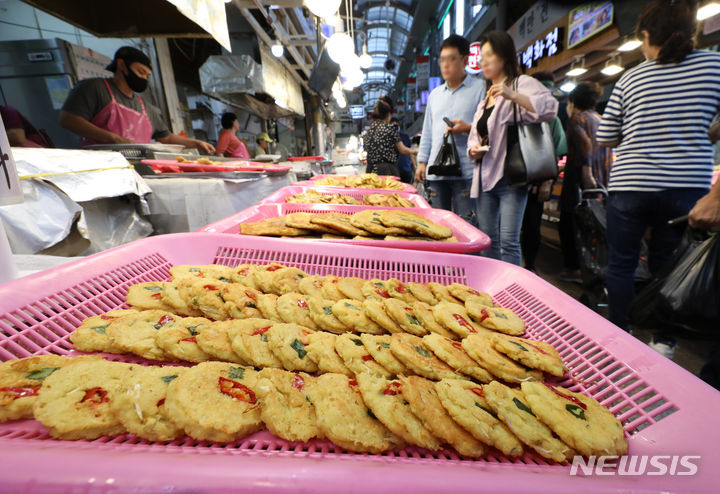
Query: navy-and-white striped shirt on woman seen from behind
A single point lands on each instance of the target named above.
(661, 115)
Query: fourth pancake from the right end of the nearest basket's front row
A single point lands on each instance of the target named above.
(424, 403)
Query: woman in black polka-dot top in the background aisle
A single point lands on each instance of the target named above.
(382, 141)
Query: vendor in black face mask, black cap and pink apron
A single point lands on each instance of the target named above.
(108, 110)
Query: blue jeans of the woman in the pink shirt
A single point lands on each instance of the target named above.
(500, 213)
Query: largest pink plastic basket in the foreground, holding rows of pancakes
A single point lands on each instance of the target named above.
(665, 410)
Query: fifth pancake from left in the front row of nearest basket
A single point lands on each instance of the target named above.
(287, 410)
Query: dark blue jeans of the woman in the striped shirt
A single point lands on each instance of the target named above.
(629, 215)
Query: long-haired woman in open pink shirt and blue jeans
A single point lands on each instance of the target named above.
(500, 207)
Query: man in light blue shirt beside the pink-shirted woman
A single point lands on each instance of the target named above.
(456, 99)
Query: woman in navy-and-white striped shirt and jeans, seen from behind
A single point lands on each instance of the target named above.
(658, 118)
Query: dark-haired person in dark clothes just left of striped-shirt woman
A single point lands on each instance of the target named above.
(587, 167)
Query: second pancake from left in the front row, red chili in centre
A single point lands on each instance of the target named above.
(74, 401)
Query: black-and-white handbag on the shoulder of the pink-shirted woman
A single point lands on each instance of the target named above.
(530, 153)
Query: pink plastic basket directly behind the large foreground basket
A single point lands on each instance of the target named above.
(470, 239)
